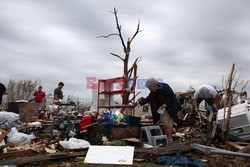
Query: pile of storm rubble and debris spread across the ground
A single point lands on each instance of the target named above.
(69, 135)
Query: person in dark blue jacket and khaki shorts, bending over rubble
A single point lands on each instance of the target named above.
(162, 97)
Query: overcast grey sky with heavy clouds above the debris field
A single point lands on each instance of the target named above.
(185, 42)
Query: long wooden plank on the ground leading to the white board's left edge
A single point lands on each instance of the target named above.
(40, 158)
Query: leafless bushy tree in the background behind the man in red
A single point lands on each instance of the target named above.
(21, 89)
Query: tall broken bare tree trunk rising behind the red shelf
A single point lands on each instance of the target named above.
(127, 72)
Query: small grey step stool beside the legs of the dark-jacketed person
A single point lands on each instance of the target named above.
(154, 135)
